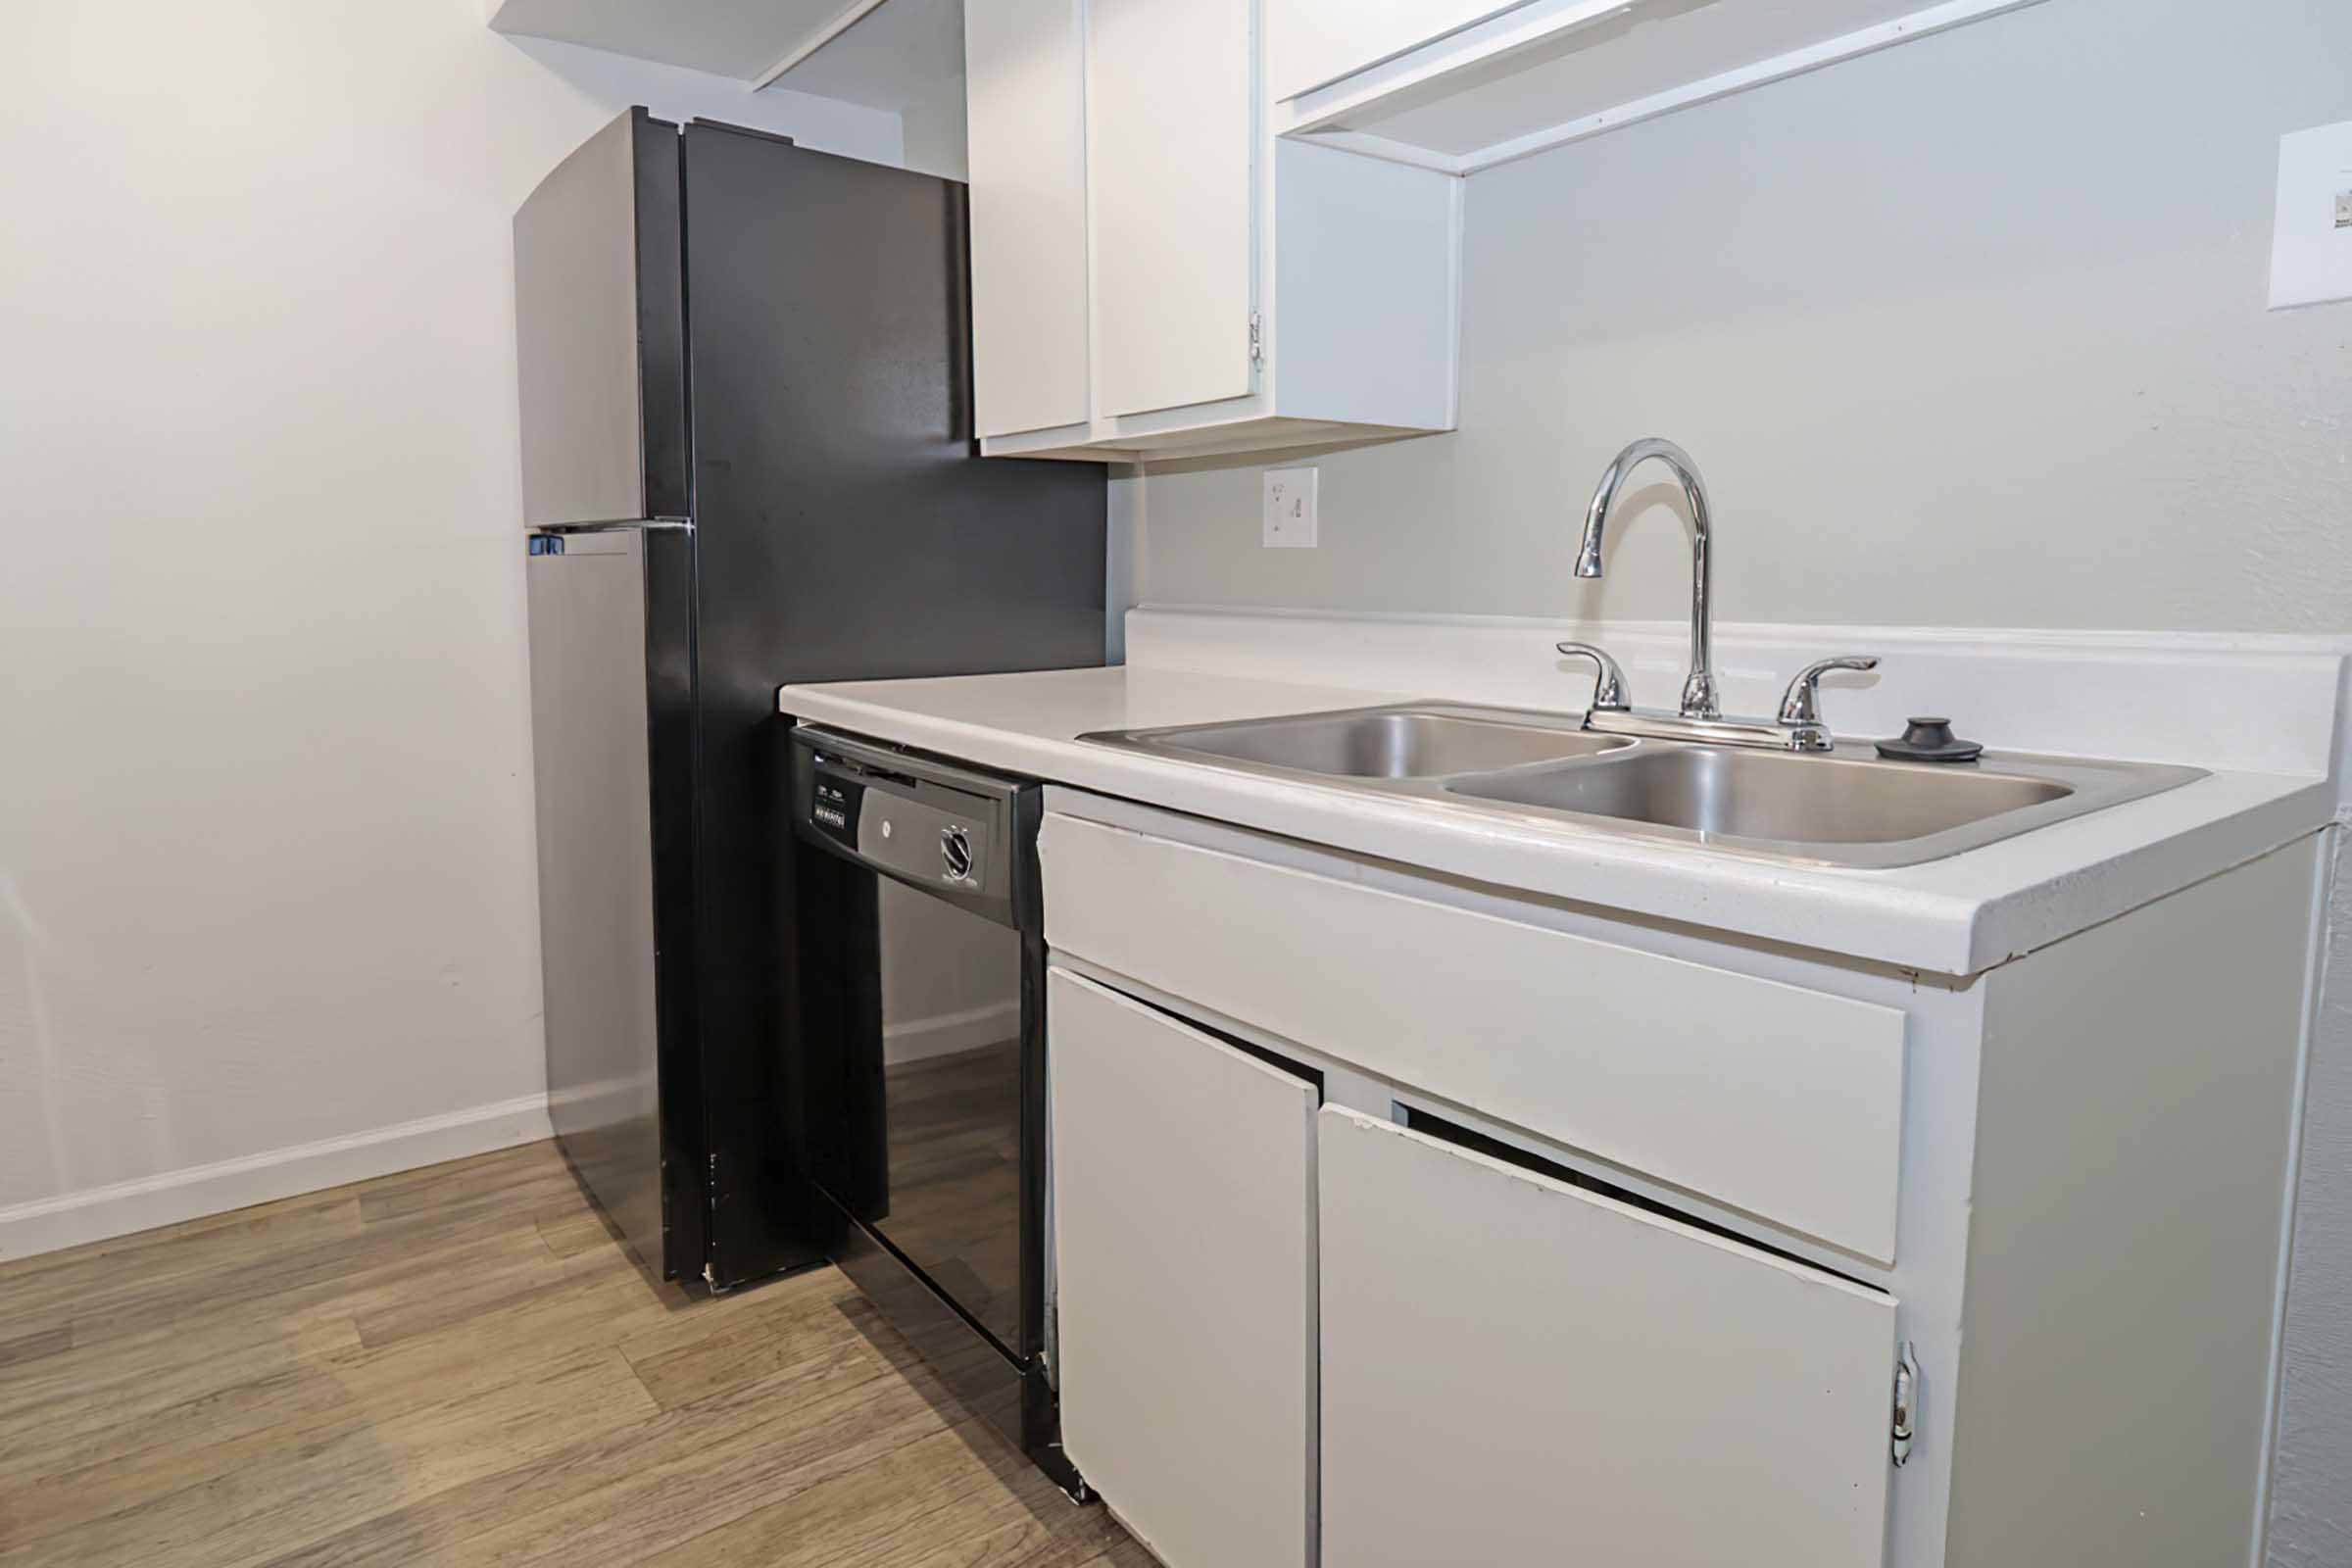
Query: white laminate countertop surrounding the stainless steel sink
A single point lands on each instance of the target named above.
(1956, 916)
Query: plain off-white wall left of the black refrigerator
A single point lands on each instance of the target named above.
(265, 808)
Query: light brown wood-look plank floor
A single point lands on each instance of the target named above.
(462, 1367)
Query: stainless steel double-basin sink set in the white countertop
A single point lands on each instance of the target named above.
(1845, 808)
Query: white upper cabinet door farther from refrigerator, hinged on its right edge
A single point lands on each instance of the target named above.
(1170, 138)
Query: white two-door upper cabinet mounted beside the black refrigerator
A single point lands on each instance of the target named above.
(1140, 234)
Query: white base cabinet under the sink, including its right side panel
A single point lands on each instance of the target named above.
(1551, 1322)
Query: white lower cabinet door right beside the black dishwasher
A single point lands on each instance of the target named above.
(1184, 1221)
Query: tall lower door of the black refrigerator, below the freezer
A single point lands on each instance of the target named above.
(594, 777)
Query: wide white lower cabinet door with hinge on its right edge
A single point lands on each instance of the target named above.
(1521, 1372)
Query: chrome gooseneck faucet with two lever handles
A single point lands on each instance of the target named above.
(1798, 725)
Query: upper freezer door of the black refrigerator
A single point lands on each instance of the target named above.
(601, 333)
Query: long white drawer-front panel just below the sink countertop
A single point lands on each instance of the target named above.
(1772, 1099)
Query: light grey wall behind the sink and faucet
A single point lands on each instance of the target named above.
(1970, 333)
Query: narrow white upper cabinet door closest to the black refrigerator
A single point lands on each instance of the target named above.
(1027, 69)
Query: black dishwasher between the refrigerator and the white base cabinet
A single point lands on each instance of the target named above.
(921, 1054)
